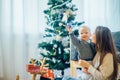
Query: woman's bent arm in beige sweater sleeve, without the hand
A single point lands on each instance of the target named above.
(105, 70)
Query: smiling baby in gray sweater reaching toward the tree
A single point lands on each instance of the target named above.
(85, 47)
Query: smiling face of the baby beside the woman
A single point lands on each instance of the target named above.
(84, 34)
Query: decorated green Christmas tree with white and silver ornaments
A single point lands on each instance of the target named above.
(57, 47)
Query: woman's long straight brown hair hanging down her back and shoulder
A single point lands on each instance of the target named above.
(105, 44)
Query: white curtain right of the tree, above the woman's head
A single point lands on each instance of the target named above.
(99, 12)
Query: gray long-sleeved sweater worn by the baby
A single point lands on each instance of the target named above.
(82, 48)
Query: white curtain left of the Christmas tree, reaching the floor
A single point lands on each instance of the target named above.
(21, 28)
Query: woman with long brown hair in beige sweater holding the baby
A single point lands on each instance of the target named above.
(105, 65)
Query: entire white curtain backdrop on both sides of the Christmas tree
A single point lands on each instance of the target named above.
(22, 24)
